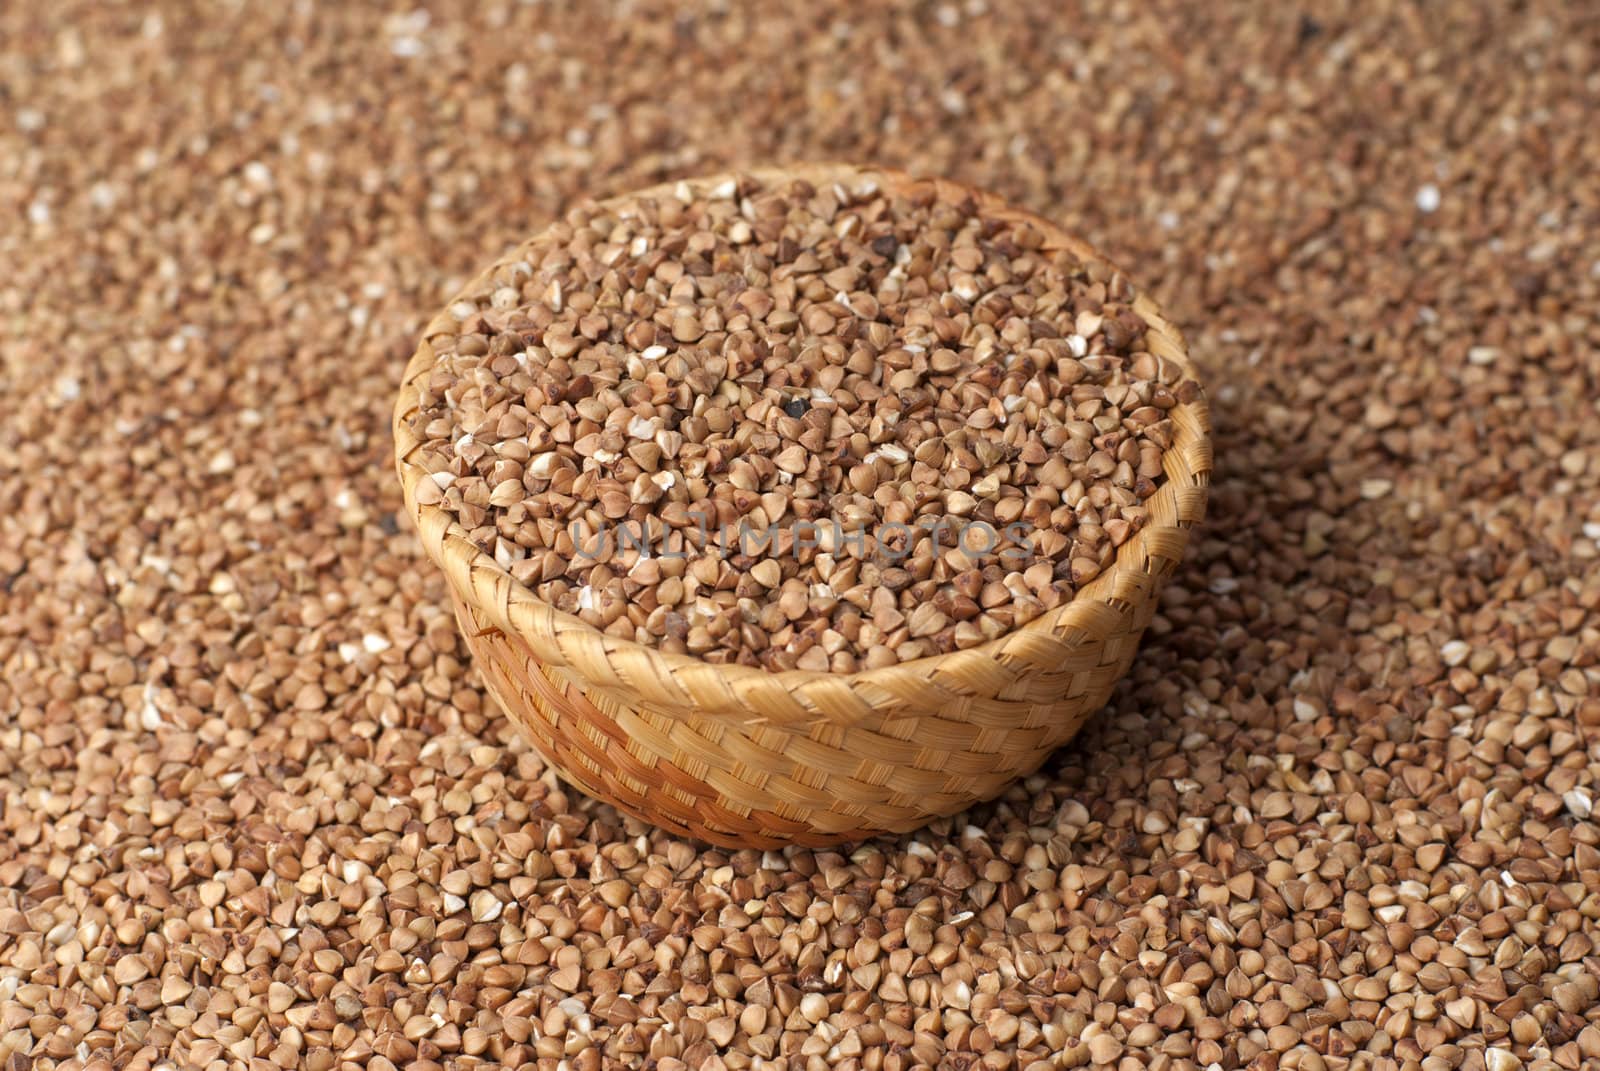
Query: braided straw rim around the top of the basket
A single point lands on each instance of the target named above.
(566, 641)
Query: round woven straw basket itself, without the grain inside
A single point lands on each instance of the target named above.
(746, 758)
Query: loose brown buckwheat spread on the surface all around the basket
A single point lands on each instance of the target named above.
(257, 814)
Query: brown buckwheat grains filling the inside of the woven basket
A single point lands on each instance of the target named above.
(820, 427)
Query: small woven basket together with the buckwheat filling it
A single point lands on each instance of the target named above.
(783, 715)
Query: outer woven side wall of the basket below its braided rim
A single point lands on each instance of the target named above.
(748, 782)
